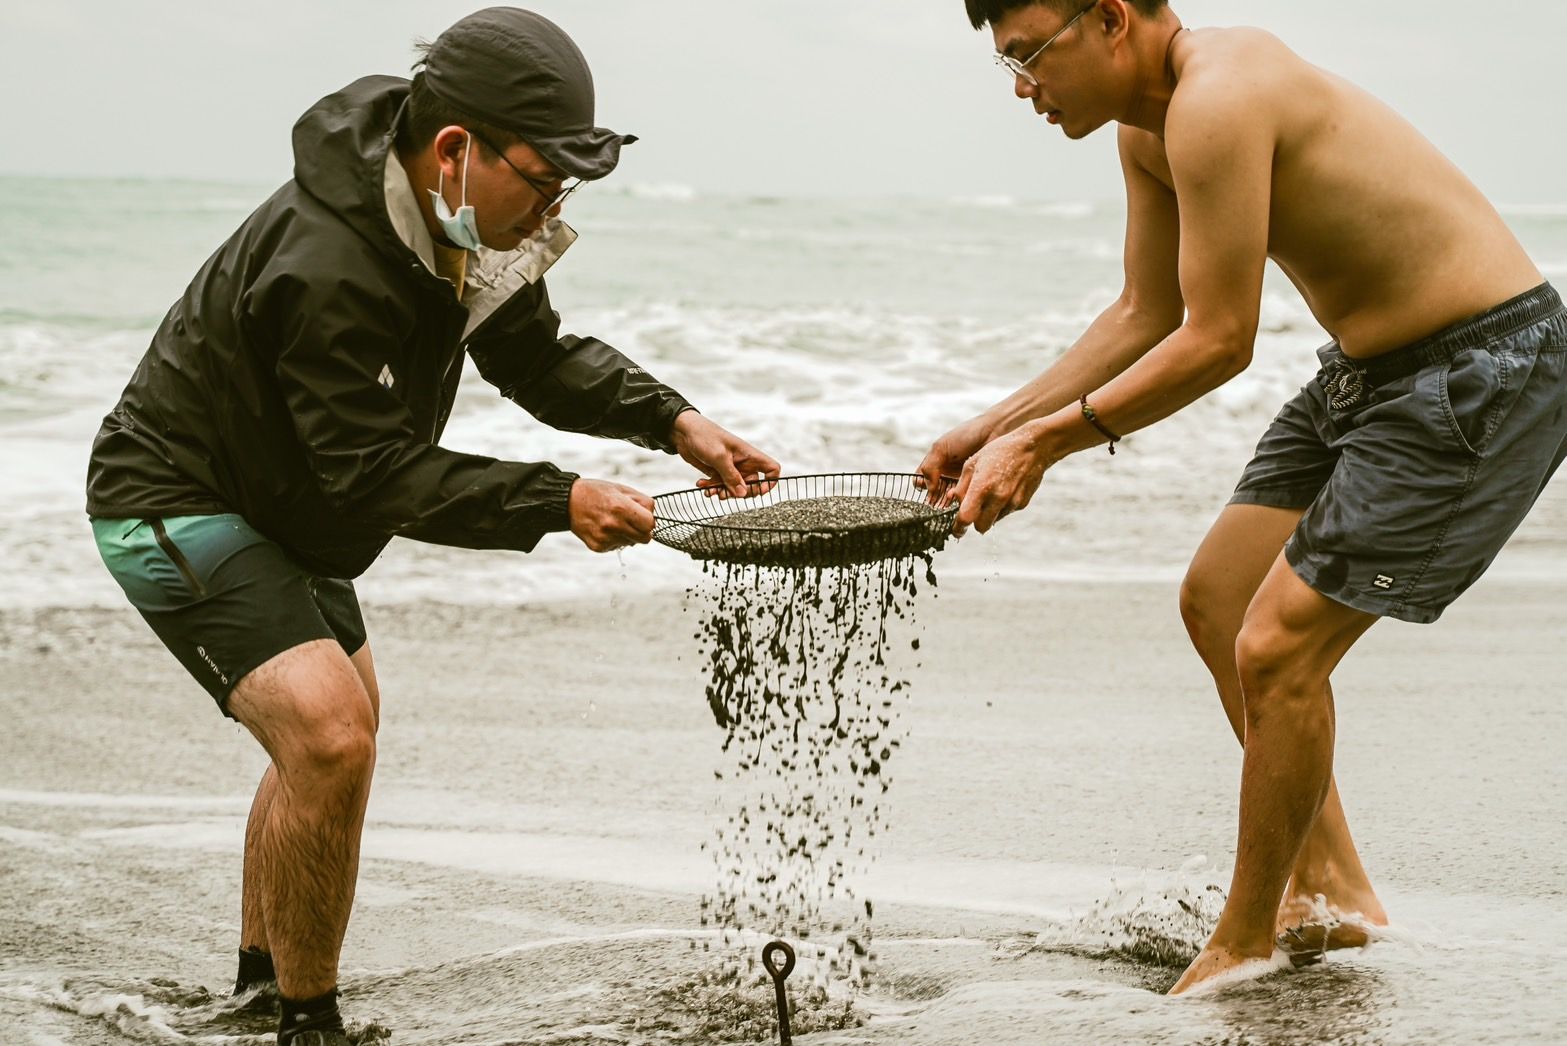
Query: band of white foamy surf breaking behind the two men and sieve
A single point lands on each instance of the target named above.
(828, 389)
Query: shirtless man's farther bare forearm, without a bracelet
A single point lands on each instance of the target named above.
(1116, 341)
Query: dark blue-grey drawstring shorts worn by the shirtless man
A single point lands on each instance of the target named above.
(1414, 467)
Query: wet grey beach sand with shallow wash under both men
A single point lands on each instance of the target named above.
(1060, 820)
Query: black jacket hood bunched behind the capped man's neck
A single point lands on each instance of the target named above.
(341, 153)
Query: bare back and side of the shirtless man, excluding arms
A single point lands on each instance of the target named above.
(1381, 234)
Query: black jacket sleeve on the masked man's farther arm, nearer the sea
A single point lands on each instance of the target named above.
(576, 384)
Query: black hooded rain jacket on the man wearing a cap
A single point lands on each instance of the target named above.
(309, 369)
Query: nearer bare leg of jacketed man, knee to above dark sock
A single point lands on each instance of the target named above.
(313, 713)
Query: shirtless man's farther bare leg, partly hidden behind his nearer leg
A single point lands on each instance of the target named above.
(1225, 577)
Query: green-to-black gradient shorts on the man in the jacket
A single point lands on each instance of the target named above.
(222, 597)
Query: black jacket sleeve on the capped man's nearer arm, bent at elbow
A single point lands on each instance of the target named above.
(335, 337)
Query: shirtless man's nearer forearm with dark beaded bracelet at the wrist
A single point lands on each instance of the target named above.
(1181, 370)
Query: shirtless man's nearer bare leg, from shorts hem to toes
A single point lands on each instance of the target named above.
(1290, 643)
